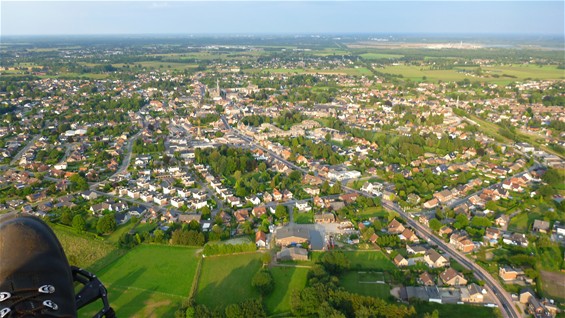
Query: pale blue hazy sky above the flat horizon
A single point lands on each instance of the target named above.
(245, 17)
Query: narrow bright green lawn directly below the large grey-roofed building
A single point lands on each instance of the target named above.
(286, 279)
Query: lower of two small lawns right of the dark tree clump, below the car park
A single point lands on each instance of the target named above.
(364, 284)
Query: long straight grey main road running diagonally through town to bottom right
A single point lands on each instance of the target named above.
(502, 297)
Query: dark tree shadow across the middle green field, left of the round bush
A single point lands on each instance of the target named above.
(233, 289)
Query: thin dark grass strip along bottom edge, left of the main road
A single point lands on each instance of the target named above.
(452, 310)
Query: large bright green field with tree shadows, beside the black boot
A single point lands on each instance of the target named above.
(149, 281)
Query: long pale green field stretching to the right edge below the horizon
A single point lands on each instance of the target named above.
(494, 74)
